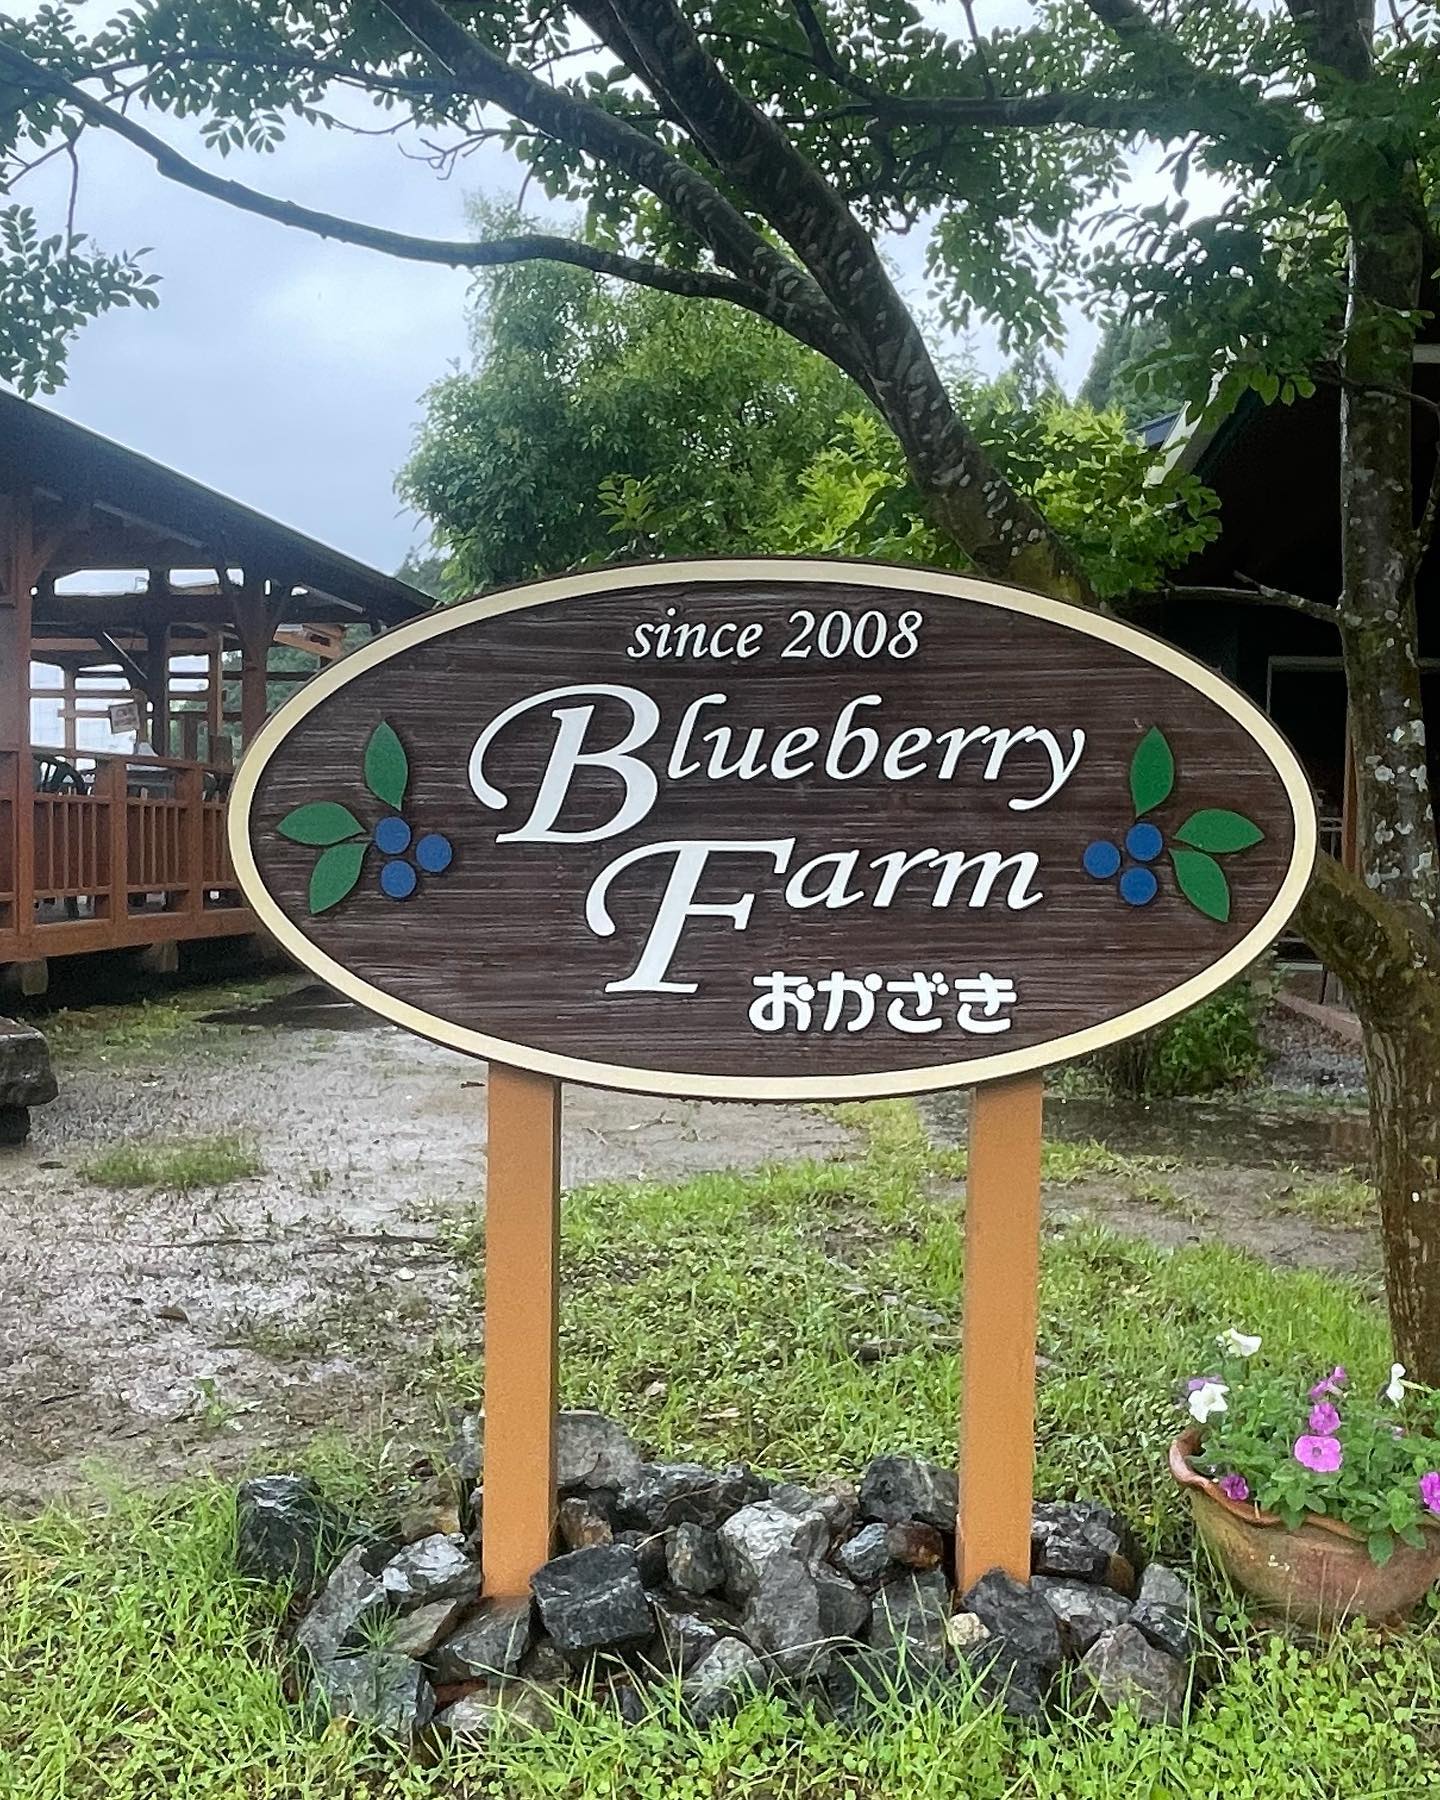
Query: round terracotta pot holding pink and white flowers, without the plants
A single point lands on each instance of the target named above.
(1318, 1574)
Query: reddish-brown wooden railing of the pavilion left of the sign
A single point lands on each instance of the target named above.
(127, 850)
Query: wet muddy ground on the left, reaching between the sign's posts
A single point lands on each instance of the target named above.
(152, 1333)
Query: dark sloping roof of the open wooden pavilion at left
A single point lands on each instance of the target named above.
(148, 516)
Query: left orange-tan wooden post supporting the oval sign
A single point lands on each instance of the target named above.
(521, 1326)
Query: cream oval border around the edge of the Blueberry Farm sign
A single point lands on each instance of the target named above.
(874, 1086)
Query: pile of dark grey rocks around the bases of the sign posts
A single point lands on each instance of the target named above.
(721, 1585)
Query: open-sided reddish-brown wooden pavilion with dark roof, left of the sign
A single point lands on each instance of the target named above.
(161, 600)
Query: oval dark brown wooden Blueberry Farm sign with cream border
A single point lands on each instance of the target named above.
(773, 831)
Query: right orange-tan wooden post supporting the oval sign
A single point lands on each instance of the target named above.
(1002, 1279)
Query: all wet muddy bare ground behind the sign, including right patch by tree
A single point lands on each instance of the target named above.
(152, 1333)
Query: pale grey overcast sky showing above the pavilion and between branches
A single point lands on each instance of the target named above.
(283, 370)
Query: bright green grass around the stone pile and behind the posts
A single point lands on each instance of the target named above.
(719, 1318)
